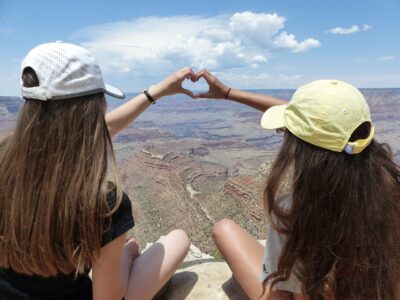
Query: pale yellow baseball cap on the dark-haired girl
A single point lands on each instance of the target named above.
(324, 113)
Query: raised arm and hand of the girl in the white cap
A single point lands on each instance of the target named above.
(123, 115)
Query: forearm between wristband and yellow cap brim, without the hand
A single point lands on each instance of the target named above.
(258, 101)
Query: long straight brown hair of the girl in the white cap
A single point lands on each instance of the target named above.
(53, 185)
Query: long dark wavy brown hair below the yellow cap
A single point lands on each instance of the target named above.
(343, 228)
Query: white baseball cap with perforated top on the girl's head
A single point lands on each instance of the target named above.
(64, 71)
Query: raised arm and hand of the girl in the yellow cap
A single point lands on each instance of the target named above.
(217, 90)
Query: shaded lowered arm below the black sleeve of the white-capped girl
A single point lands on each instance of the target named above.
(106, 271)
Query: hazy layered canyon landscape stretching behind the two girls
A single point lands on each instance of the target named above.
(188, 163)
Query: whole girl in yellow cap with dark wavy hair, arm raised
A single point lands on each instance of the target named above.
(336, 233)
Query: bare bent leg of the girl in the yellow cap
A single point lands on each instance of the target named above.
(244, 256)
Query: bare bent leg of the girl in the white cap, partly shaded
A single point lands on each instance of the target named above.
(154, 267)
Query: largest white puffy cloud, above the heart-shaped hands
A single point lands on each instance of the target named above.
(219, 42)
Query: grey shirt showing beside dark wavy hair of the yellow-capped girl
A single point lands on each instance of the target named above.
(273, 247)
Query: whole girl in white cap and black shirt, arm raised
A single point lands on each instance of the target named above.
(62, 209)
